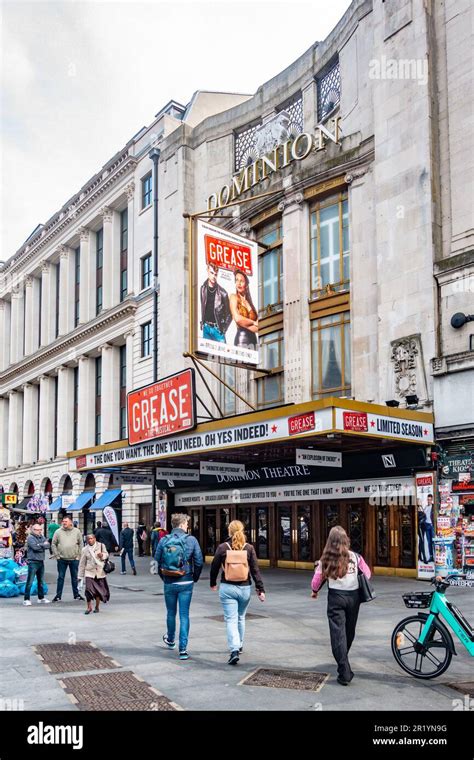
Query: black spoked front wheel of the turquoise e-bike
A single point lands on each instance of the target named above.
(427, 661)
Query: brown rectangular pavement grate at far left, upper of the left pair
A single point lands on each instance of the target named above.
(69, 658)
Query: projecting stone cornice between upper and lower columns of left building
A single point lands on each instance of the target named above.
(118, 313)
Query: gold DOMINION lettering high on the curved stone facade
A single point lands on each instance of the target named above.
(294, 149)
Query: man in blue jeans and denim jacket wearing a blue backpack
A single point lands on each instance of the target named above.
(179, 559)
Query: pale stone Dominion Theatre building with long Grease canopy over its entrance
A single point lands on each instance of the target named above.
(332, 170)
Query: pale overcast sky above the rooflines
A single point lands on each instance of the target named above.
(79, 79)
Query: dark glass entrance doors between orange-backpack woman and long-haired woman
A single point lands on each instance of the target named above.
(294, 535)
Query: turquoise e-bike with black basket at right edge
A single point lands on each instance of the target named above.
(422, 644)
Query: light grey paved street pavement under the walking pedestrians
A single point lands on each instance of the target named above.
(292, 634)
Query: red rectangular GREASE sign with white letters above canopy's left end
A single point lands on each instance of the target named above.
(163, 408)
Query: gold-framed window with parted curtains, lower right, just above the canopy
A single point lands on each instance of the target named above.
(331, 355)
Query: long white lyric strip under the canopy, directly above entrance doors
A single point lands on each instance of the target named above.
(355, 489)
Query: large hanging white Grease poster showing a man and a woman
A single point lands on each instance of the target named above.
(227, 294)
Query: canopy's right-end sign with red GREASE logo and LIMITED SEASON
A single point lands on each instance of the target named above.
(384, 427)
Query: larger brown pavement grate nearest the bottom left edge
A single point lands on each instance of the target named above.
(115, 691)
